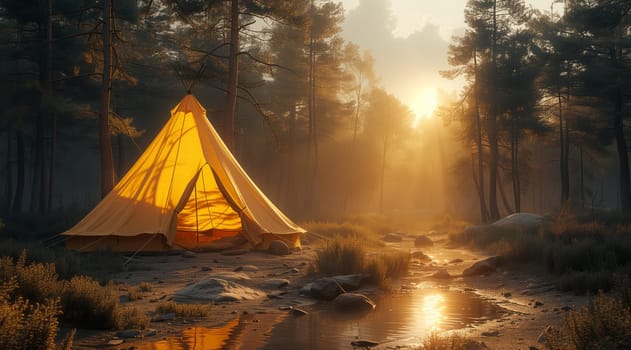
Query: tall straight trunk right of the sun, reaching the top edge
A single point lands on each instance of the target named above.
(492, 126)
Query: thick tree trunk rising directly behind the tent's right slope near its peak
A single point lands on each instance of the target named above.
(230, 104)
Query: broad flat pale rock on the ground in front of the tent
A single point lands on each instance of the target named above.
(217, 290)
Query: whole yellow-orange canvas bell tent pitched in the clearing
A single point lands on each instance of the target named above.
(185, 191)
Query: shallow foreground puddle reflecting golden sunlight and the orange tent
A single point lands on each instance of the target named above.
(396, 317)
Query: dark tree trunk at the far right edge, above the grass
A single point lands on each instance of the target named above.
(623, 153)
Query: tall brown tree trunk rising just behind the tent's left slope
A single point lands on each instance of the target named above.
(105, 141)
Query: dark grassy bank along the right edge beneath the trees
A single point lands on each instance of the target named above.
(584, 253)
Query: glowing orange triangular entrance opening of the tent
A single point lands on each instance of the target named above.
(207, 215)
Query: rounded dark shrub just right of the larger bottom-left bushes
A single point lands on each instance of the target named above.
(90, 305)
